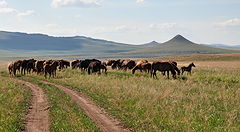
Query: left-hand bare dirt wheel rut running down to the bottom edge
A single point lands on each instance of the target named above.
(37, 119)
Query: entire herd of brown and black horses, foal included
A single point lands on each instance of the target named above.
(50, 67)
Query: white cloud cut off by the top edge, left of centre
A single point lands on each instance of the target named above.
(75, 3)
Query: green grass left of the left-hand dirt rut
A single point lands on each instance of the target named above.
(14, 100)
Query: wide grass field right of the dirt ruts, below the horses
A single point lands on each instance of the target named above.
(206, 101)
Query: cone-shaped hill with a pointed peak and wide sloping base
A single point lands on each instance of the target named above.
(176, 46)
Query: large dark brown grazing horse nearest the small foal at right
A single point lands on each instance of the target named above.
(162, 66)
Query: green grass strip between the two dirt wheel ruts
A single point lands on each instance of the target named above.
(64, 113)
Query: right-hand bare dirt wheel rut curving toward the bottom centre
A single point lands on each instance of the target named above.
(98, 115)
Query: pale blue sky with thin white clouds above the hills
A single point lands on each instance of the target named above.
(126, 21)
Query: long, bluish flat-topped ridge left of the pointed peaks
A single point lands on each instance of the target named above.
(16, 43)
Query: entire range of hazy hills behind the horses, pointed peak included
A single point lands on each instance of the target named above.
(15, 44)
